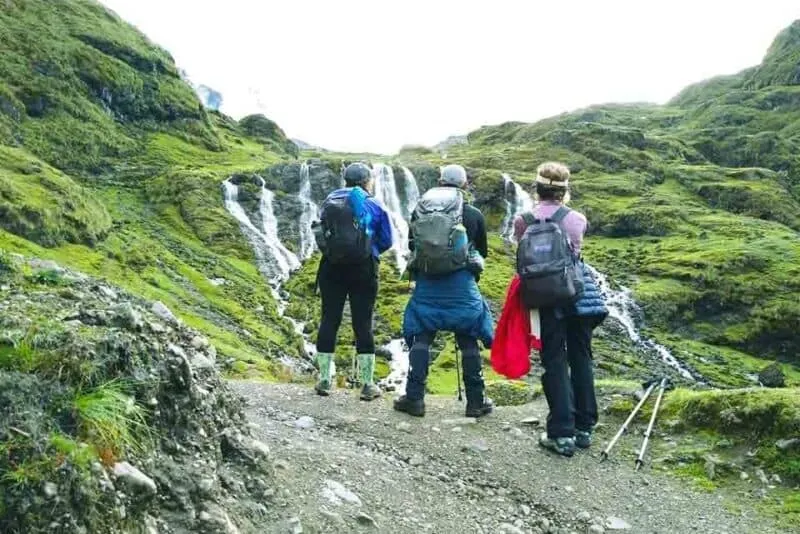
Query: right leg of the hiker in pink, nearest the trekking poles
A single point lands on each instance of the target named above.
(579, 354)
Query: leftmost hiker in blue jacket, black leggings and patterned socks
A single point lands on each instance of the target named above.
(352, 233)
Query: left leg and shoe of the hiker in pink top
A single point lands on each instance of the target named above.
(556, 385)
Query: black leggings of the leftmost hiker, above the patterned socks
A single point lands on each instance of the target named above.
(359, 282)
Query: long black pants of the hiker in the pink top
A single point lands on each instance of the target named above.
(568, 379)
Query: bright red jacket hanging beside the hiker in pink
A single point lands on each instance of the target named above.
(511, 348)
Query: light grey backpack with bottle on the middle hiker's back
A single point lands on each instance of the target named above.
(441, 244)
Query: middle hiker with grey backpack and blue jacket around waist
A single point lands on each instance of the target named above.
(447, 240)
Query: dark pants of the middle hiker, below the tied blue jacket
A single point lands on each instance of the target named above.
(419, 359)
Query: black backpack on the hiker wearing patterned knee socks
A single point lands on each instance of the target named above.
(338, 234)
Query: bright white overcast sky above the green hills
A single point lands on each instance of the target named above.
(372, 75)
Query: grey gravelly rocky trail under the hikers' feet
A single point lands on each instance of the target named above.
(348, 466)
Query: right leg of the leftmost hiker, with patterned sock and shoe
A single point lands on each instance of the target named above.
(363, 290)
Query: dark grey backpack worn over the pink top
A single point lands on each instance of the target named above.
(550, 275)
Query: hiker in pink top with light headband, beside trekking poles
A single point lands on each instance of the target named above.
(565, 330)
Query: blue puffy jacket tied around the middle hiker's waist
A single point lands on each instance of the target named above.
(452, 303)
